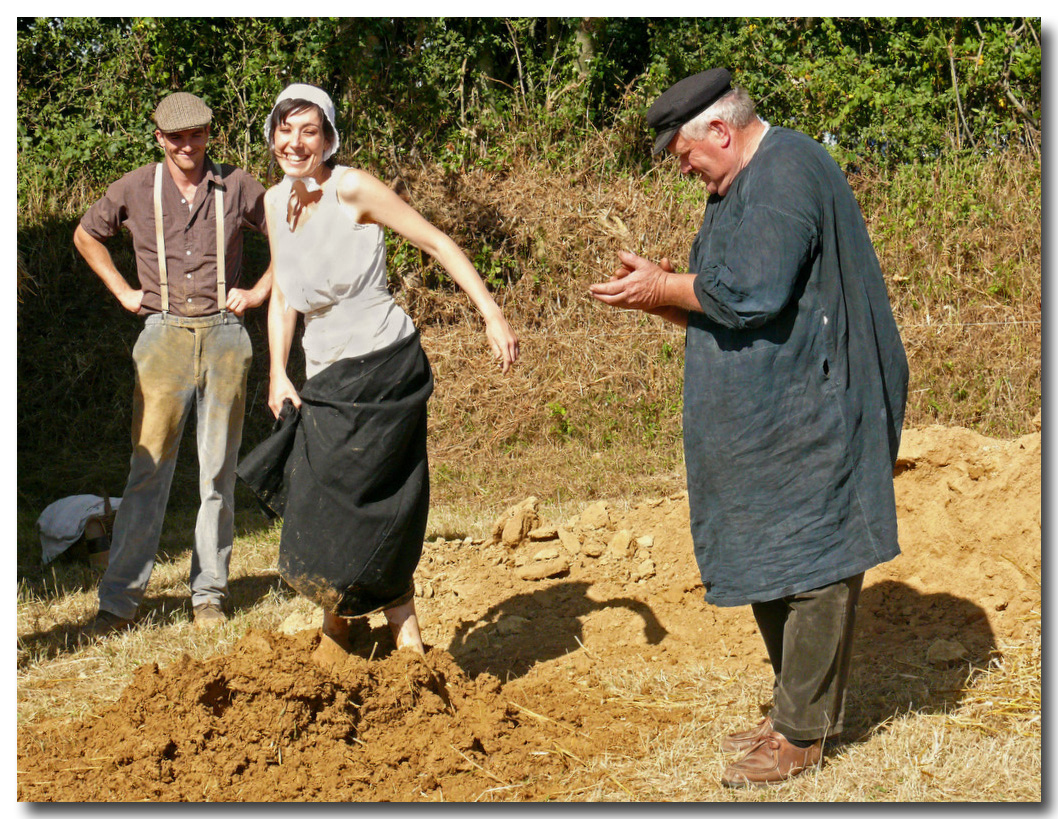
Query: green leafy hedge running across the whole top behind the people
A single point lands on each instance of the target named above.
(467, 92)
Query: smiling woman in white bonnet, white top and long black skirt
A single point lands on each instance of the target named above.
(356, 484)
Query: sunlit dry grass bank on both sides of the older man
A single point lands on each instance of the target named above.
(597, 396)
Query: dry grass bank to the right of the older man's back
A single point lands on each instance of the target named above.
(962, 252)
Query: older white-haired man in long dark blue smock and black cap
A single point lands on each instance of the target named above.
(795, 387)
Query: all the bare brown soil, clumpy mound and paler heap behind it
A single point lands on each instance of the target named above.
(498, 709)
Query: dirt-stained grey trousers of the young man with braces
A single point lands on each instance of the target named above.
(180, 362)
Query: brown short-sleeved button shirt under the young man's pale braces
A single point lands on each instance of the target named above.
(191, 233)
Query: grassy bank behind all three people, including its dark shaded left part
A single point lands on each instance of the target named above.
(594, 407)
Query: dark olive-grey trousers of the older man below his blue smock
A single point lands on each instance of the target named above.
(810, 639)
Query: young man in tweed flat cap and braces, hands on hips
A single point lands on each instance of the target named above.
(187, 216)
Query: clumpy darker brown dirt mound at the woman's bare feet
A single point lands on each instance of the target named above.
(285, 719)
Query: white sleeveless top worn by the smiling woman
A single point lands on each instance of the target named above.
(333, 270)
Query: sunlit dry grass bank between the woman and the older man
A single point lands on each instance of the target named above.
(594, 406)
